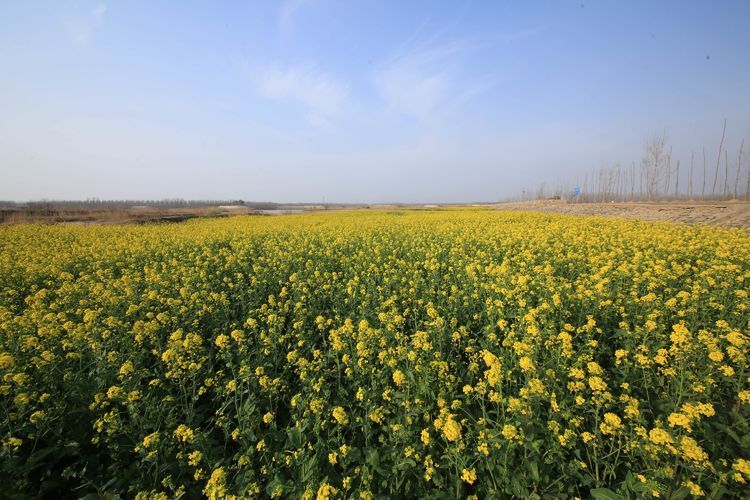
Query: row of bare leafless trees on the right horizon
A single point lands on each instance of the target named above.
(659, 176)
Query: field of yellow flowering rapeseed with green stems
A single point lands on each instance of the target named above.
(403, 353)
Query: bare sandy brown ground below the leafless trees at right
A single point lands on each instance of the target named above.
(729, 213)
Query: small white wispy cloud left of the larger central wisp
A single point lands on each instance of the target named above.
(321, 96)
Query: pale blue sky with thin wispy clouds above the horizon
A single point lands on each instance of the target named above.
(357, 100)
